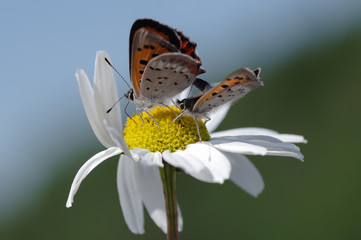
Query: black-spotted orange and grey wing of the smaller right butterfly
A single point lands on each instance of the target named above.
(233, 87)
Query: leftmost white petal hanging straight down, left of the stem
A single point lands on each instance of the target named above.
(129, 194)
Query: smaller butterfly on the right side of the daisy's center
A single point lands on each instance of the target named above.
(233, 87)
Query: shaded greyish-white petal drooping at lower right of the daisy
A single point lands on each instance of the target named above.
(245, 174)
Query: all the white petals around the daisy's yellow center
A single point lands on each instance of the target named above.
(214, 161)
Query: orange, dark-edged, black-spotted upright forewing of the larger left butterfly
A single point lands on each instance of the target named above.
(148, 39)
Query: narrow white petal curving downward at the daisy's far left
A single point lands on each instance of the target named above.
(87, 168)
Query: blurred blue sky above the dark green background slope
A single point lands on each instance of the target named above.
(43, 43)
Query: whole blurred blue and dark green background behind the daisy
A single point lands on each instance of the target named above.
(310, 55)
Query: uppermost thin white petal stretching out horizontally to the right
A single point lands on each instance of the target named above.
(261, 131)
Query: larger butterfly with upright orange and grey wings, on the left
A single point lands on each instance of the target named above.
(162, 63)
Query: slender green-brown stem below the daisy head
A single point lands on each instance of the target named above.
(167, 174)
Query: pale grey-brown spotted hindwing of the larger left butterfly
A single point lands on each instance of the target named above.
(167, 75)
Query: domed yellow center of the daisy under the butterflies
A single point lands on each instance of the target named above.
(169, 136)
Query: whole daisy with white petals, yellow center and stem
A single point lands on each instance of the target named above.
(155, 152)
